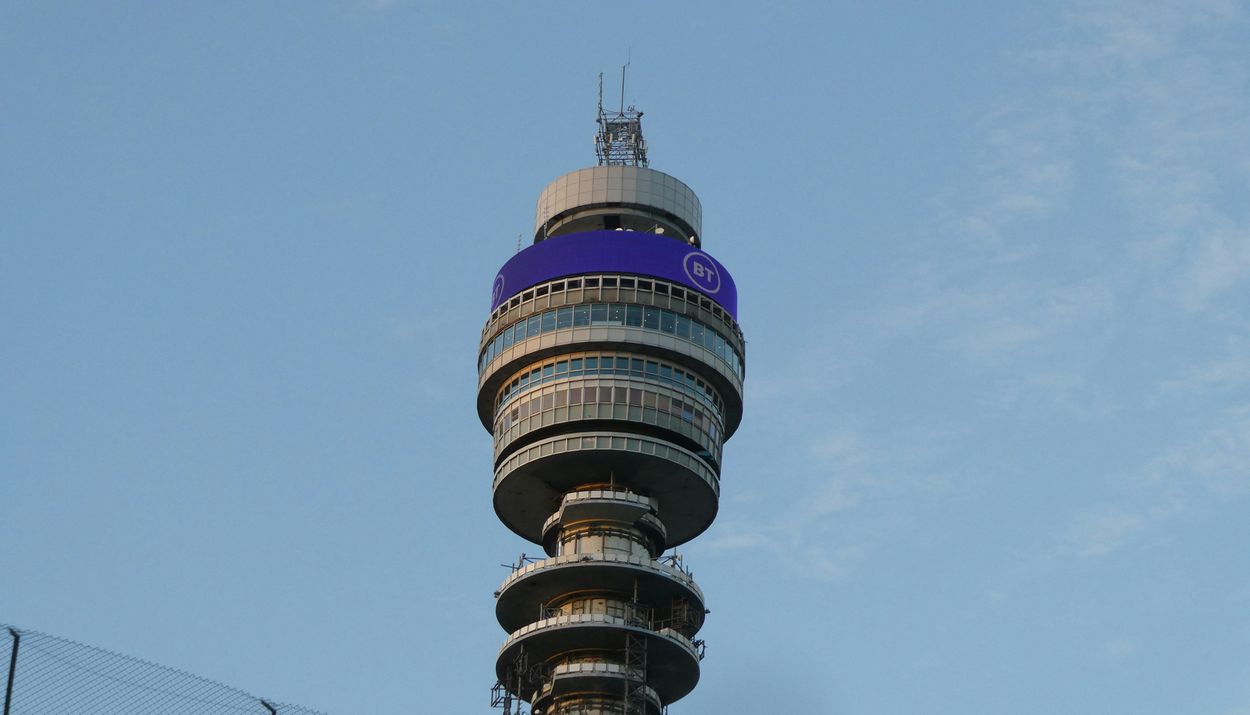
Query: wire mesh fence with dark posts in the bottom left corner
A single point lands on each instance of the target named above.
(49, 676)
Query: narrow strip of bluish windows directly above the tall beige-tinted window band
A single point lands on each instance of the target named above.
(589, 364)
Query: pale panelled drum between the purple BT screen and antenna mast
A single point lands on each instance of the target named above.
(628, 198)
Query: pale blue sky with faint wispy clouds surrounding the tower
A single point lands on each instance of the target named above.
(993, 264)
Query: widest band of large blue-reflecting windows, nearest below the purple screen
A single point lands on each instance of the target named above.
(619, 314)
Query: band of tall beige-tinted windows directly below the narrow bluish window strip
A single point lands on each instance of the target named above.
(582, 402)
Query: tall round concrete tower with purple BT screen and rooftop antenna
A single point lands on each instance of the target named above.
(611, 374)
